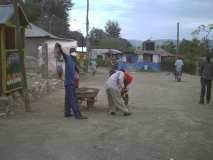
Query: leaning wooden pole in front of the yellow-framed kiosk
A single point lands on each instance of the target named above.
(19, 45)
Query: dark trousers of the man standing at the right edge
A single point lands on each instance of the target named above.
(206, 86)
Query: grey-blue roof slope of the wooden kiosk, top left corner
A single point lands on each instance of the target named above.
(6, 12)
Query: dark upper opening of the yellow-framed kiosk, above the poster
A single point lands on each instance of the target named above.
(10, 38)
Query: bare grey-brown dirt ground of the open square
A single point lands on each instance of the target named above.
(167, 123)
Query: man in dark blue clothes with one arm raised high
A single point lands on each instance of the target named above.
(71, 102)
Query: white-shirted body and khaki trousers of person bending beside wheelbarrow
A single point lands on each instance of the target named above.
(114, 86)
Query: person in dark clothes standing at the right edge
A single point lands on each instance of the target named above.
(206, 73)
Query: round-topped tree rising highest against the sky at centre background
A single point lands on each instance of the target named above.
(112, 29)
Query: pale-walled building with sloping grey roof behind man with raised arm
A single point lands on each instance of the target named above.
(37, 40)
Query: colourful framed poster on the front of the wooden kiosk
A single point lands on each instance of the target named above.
(13, 72)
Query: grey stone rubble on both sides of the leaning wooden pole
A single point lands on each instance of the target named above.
(37, 88)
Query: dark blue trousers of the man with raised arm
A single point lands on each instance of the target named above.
(71, 102)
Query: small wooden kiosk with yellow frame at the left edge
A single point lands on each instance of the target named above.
(10, 54)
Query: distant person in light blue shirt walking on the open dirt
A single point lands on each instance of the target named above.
(178, 68)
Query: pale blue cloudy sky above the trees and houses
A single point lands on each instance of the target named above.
(144, 19)
